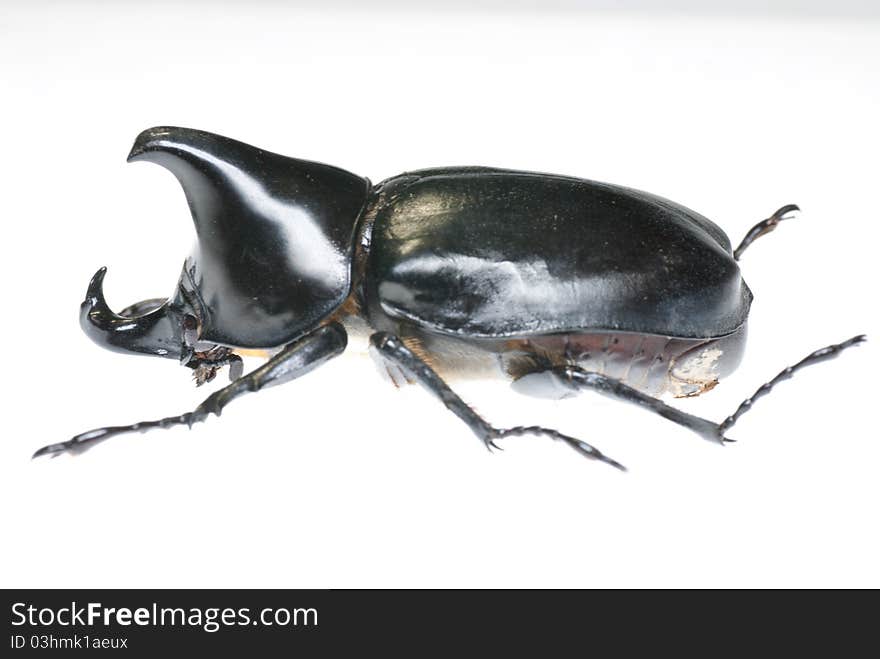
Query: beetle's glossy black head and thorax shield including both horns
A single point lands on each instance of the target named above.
(272, 256)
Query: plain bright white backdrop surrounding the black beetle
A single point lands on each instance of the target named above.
(339, 480)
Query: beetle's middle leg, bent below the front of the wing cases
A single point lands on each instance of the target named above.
(392, 348)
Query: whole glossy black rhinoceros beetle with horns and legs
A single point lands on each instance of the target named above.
(561, 284)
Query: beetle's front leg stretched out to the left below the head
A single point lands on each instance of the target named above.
(296, 359)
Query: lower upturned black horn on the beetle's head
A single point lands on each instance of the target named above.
(153, 333)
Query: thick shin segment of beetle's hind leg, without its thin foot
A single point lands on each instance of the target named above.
(577, 378)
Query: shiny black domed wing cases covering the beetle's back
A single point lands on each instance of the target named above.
(481, 252)
